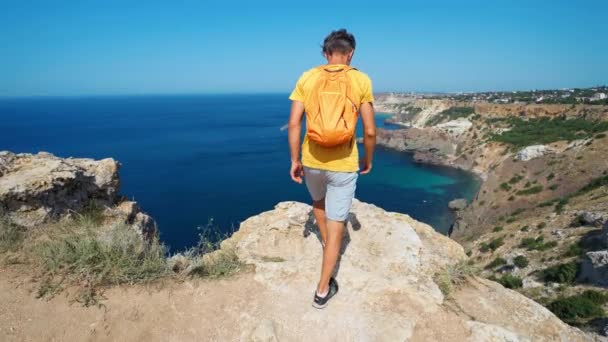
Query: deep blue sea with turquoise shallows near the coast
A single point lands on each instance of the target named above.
(207, 162)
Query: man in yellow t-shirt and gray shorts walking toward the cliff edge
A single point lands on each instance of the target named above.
(330, 171)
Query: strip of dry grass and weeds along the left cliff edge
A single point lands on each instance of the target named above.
(85, 255)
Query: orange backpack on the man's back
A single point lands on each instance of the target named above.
(331, 113)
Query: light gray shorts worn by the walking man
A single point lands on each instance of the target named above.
(338, 189)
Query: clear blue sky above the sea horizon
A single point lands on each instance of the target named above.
(148, 47)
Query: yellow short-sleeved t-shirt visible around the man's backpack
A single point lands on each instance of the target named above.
(342, 158)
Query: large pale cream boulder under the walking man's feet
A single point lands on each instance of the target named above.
(387, 291)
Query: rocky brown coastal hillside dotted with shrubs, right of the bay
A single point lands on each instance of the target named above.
(528, 220)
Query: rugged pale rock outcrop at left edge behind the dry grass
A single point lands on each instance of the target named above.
(39, 188)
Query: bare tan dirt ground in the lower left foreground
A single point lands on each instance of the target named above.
(178, 312)
